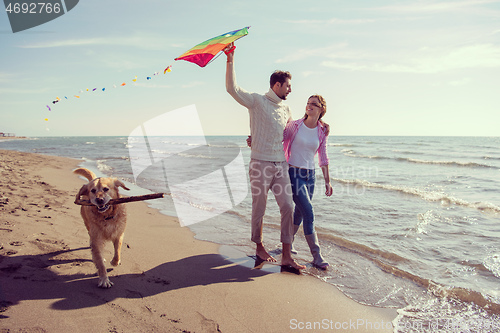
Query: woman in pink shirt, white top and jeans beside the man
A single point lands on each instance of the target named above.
(302, 139)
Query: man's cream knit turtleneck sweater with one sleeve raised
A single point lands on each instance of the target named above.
(268, 118)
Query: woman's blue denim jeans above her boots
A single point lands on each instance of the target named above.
(302, 181)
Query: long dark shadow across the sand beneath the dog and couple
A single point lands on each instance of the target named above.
(33, 278)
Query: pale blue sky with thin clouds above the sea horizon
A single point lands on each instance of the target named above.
(386, 68)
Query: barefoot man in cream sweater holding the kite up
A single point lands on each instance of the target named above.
(268, 167)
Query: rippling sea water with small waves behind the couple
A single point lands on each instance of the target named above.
(413, 222)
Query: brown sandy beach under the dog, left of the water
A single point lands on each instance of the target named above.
(167, 282)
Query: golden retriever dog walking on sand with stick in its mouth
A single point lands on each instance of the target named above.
(104, 222)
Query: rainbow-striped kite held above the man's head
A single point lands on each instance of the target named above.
(203, 53)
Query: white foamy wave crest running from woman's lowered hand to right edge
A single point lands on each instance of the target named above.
(445, 199)
